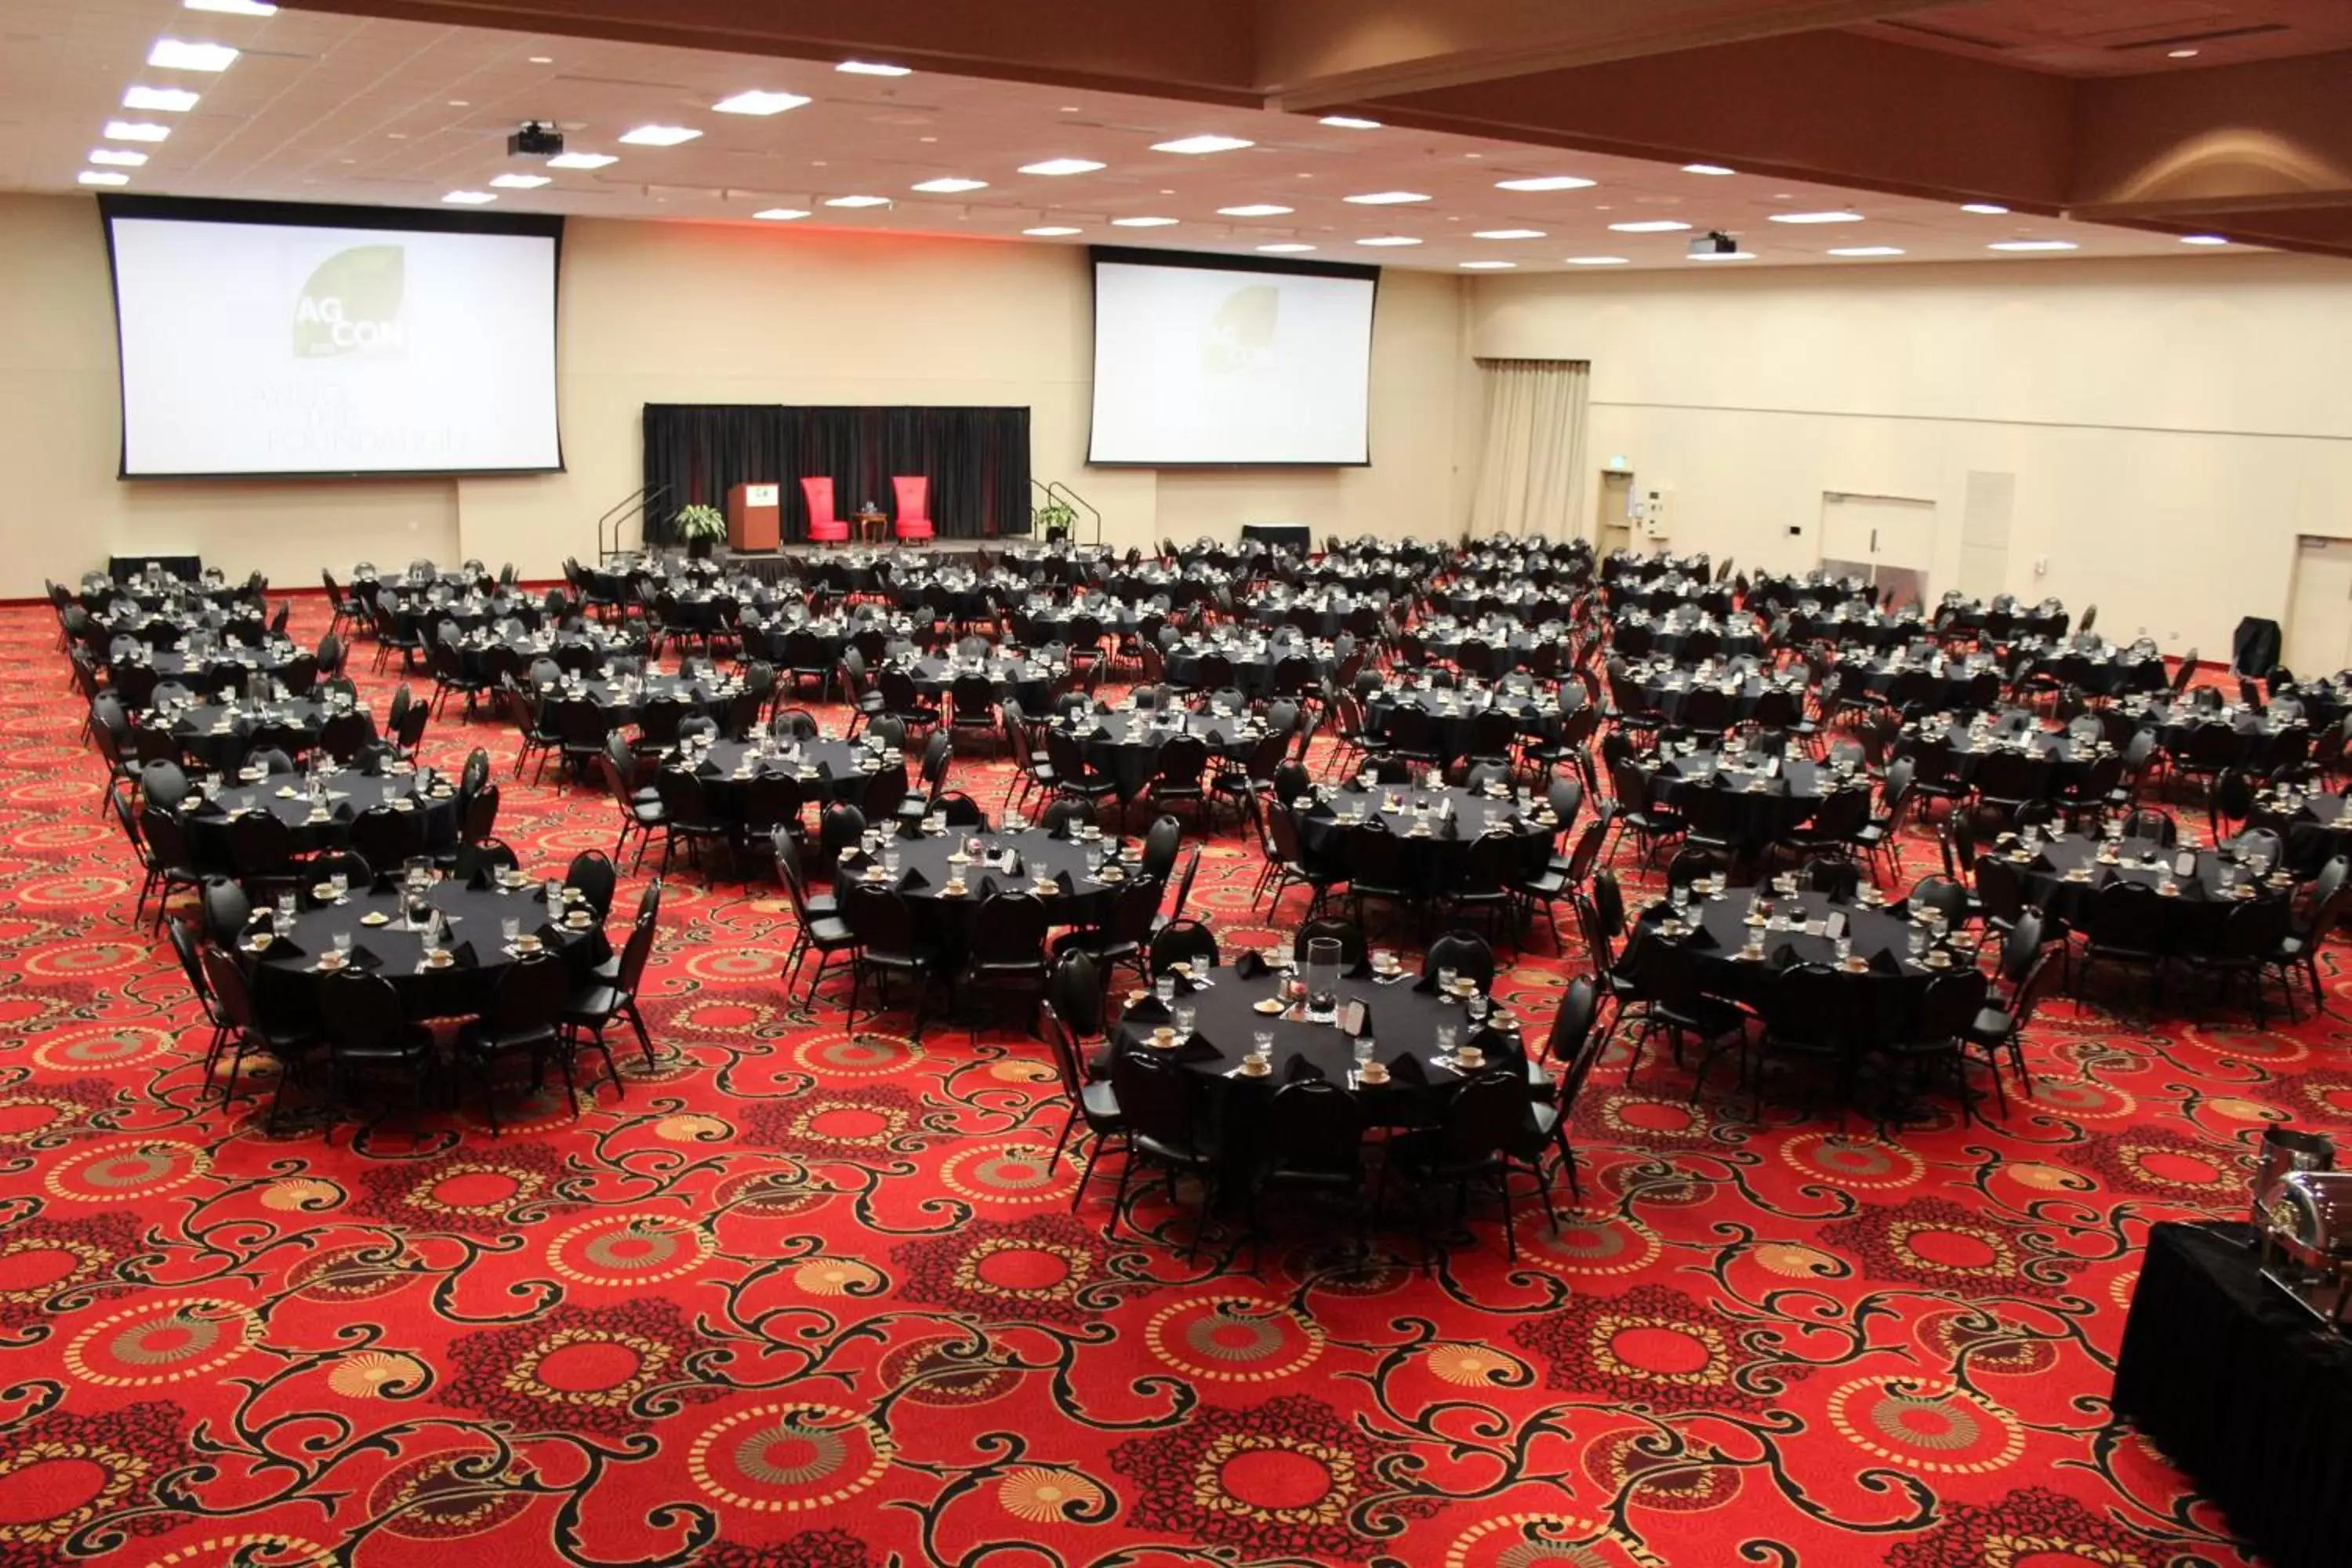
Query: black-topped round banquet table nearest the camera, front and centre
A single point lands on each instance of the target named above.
(1403, 1019)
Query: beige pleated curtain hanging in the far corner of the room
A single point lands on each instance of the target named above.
(1532, 448)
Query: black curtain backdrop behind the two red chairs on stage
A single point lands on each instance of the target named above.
(977, 462)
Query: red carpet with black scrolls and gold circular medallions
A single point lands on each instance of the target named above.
(810, 1299)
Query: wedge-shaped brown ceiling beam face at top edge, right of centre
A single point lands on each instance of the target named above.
(1321, 55)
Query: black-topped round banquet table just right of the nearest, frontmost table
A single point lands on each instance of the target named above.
(1885, 996)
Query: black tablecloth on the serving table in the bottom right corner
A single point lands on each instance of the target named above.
(2245, 1393)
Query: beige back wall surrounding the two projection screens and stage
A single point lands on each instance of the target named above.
(686, 314)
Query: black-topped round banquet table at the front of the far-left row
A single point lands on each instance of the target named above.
(286, 984)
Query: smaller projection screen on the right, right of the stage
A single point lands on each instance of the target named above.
(1222, 361)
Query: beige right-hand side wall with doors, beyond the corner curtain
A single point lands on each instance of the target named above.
(2172, 424)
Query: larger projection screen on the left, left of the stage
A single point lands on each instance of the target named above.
(286, 340)
